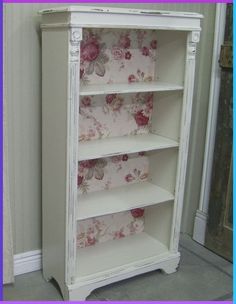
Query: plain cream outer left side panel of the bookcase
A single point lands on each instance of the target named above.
(55, 153)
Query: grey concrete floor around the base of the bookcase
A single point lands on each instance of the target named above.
(202, 275)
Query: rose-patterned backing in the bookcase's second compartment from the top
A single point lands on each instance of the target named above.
(115, 115)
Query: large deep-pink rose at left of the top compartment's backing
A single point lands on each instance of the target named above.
(90, 50)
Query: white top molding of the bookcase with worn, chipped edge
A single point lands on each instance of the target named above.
(88, 16)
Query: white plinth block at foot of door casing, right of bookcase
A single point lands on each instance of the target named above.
(199, 229)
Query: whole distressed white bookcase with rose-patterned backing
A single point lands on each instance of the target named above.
(117, 98)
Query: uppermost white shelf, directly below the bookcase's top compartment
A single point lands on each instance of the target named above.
(135, 87)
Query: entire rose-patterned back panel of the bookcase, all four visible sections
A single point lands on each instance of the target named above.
(114, 56)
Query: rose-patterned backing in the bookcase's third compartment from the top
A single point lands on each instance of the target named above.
(116, 171)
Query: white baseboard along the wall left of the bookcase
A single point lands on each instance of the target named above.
(27, 262)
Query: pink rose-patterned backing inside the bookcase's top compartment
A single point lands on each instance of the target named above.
(117, 56)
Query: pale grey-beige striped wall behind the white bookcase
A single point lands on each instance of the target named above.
(23, 96)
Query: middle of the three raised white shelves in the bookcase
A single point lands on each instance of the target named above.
(123, 145)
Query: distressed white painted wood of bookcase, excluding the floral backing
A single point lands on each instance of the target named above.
(79, 271)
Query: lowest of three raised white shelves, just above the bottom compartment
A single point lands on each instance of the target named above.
(120, 199)
